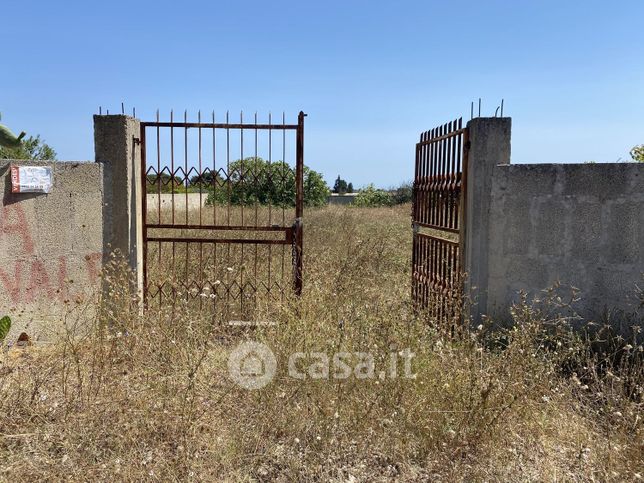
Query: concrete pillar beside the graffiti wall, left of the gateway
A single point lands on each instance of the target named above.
(116, 147)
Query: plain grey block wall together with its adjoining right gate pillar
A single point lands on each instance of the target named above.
(531, 225)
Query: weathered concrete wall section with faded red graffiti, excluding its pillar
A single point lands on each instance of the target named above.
(51, 245)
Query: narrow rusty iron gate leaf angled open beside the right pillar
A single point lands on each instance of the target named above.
(438, 220)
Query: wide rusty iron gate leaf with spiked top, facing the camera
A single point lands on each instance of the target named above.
(222, 212)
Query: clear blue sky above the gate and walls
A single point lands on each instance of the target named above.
(371, 75)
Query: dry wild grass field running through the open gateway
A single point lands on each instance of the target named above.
(131, 397)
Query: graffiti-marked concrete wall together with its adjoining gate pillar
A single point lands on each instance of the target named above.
(52, 246)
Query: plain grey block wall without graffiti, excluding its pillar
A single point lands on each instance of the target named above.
(579, 224)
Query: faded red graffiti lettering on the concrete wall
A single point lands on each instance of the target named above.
(40, 283)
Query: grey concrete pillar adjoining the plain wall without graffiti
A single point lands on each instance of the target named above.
(489, 147)
